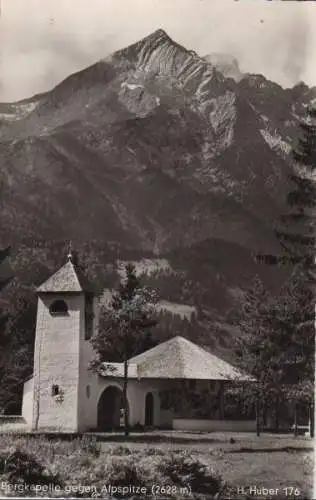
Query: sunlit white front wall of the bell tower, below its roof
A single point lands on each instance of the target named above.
(56, 362)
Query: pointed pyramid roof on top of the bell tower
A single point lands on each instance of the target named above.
(69, 278)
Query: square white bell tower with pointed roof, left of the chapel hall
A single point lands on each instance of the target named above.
(66, 319)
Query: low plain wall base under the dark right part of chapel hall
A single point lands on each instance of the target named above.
(214, 425)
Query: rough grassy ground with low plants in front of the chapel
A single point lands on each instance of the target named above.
(208, 464)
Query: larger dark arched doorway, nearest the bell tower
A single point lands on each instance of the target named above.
(109, 408)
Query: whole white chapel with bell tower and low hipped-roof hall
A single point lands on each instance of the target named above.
(64, 395)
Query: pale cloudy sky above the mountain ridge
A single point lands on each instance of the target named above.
(44, 41)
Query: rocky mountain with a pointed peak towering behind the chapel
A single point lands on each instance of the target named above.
(156, 152)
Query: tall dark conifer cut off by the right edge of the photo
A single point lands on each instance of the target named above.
(296, 233)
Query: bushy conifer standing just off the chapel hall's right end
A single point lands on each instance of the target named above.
(262, 351)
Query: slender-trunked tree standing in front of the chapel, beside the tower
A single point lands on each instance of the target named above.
(125, 328)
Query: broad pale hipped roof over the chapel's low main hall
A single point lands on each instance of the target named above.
(179, 358)
